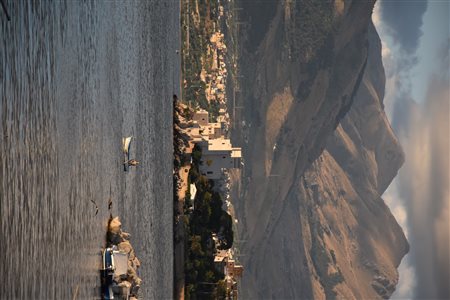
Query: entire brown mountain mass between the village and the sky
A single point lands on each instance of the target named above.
(312, 221)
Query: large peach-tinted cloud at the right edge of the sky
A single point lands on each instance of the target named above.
(424, 182)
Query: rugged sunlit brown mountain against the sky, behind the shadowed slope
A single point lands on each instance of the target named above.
(343, 214)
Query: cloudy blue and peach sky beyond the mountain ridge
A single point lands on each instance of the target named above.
(415, 38)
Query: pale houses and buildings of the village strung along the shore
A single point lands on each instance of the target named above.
(218, 153)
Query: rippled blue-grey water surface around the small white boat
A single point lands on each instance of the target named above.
(74, 78)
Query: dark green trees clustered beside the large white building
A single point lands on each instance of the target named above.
(202, 280)
